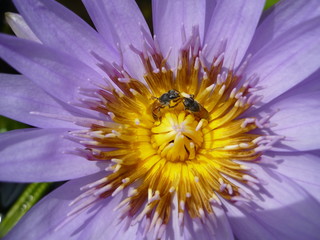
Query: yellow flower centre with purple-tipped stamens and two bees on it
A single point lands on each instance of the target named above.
(178, 134)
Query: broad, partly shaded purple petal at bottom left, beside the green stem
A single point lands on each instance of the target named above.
(98, 222)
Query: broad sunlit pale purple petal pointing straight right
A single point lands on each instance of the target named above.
(297, 120)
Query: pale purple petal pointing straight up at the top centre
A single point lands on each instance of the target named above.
(168, 19)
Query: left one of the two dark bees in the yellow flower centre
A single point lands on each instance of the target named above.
(165, 100)
